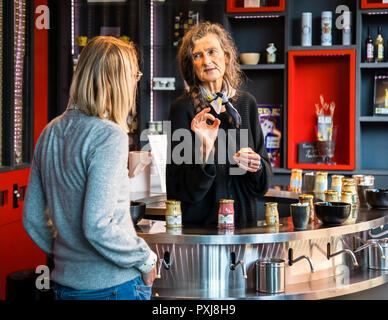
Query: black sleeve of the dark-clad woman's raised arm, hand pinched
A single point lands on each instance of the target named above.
(186, 180)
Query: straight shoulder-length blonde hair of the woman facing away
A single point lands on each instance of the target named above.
(104, 83)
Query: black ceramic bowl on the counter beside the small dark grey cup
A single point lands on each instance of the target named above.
(332, 213)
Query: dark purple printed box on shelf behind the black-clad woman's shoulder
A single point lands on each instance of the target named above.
(270, 117)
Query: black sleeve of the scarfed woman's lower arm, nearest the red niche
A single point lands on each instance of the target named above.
(259, 181)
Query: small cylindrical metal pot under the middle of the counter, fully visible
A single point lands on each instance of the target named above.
(270, 275)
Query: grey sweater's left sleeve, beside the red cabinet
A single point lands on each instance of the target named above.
(34, 217)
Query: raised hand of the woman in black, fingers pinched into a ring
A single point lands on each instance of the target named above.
(206, 133)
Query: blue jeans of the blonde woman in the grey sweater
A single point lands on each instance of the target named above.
(132, 290)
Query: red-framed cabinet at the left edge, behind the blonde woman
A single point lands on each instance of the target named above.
(17, 250)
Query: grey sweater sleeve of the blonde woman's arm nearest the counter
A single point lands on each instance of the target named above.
(117, 242)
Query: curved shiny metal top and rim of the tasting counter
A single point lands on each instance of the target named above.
(155, 231)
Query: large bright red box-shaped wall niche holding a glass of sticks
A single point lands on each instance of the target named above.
(332, 74)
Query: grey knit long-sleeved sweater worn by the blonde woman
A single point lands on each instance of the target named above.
(79, 173)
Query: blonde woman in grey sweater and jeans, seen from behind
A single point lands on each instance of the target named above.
(79, 173)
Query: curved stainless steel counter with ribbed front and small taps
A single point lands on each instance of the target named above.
(199, 256)
